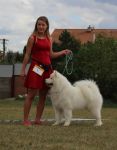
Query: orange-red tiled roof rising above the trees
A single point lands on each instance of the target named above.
(84, 35)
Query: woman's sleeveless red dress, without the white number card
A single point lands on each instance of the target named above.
(40, 55)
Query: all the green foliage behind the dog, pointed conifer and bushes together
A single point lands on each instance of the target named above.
(97, 61)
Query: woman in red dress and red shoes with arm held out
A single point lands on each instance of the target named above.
(39, 48)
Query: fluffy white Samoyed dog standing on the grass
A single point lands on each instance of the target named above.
(65, 97)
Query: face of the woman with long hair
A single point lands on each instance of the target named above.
(41, 27)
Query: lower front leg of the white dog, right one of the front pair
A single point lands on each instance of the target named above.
(68, 116)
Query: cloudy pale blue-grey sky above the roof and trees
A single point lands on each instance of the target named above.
(18, 17)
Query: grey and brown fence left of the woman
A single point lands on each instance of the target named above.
(11, 84)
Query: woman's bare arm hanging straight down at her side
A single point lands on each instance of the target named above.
(27, 54)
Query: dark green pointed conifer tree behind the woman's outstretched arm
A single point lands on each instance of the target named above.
(66, 42)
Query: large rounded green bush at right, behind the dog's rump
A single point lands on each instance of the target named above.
(98, 61)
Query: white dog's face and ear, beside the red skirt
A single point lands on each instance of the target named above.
(50, 81)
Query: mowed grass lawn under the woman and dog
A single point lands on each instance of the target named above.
(80, 135)
